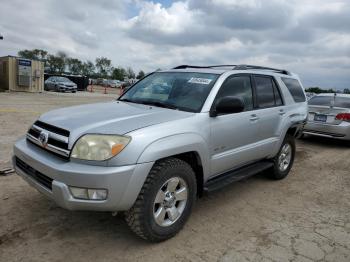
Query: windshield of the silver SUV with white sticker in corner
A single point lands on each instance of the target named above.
(176, 90)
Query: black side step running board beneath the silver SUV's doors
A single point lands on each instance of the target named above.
(236, 175)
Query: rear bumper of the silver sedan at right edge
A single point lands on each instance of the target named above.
(341, 131)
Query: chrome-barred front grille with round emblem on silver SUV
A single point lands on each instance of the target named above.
(57, 138)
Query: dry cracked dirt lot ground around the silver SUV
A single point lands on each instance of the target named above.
(305, 217)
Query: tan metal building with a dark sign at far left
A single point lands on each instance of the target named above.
(18, 74)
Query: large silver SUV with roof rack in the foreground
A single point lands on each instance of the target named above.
(172, 136)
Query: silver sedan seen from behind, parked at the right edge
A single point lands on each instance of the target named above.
(329, 116)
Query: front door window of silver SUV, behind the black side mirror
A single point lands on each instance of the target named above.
(238, 86)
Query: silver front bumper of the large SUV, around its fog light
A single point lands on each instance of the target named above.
(123, 182)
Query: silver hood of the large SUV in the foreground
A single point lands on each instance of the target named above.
(114, 117)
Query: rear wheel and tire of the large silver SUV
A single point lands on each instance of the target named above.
(284, 160)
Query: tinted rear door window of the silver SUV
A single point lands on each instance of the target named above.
(264, 91)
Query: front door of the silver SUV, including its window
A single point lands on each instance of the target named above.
(234, 137)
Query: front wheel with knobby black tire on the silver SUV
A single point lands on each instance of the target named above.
(165, 201)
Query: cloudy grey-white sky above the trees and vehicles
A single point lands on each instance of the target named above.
(308, 37)
